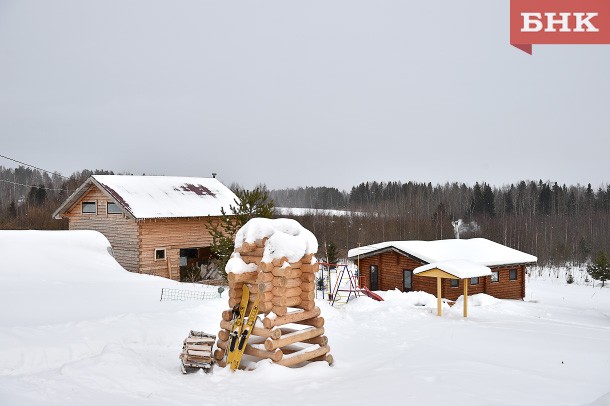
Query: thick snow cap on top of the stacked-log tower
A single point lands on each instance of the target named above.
(286, 238)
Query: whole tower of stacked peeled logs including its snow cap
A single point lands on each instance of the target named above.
(289, 330)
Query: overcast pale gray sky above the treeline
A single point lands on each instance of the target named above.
(298, 93)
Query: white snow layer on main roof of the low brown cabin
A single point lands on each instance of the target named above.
(479, 250)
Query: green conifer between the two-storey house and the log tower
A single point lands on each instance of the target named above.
(249, 204)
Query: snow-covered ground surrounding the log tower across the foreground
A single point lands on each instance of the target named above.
(76, 329)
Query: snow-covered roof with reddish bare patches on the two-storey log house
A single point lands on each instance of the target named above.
(167, 196)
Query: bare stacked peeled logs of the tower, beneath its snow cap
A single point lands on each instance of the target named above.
(290, 330)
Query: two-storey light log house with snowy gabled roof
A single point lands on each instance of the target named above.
(156, 224)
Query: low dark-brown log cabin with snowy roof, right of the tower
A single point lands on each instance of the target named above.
(389, 265)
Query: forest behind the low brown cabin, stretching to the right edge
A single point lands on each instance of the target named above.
(557, 223)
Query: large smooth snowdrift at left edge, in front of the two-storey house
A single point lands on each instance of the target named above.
(71, 275)
